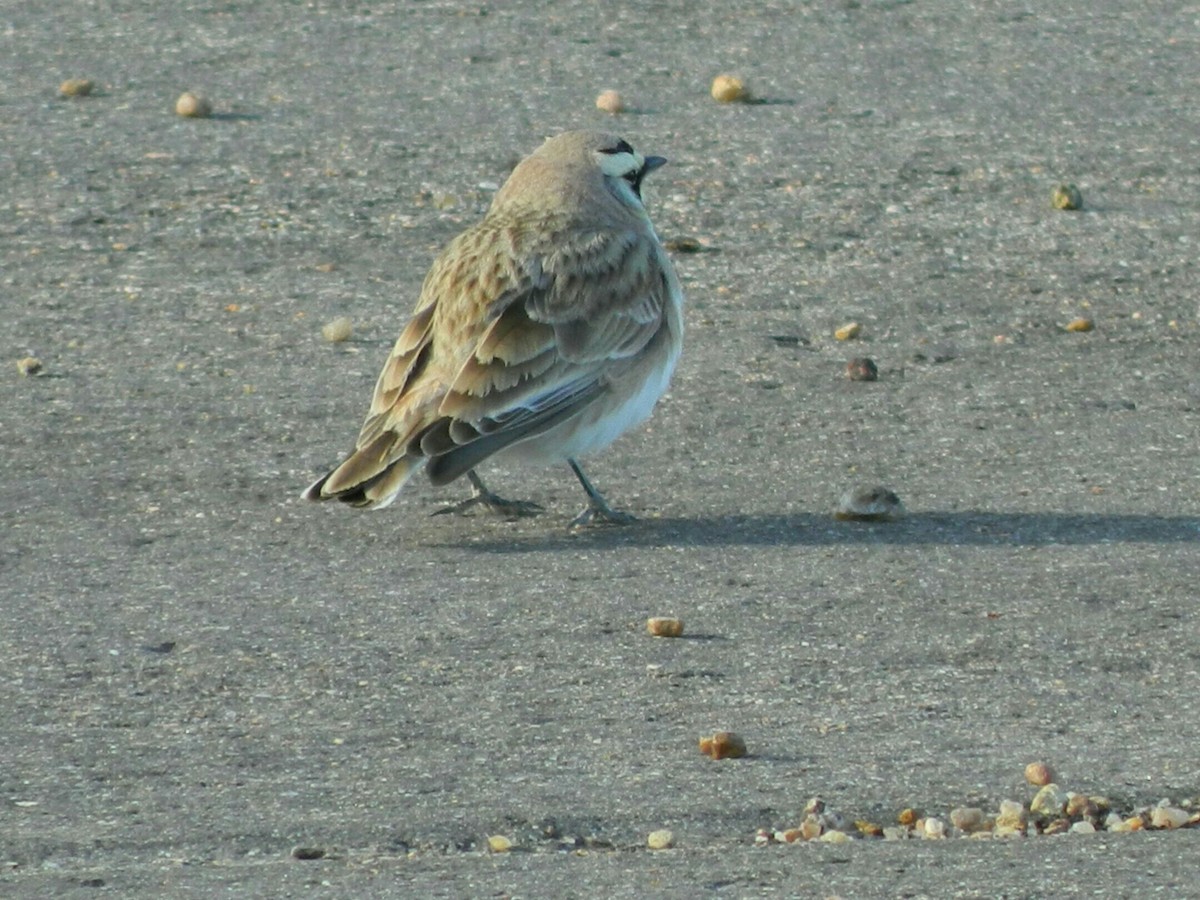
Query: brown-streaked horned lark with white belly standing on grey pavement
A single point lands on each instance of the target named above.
(542, 334)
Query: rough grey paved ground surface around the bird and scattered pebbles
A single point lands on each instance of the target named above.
(201, 674)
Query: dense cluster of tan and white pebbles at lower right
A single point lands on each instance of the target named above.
(1053, 811)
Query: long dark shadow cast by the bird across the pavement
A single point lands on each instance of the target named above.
(961, 529)
